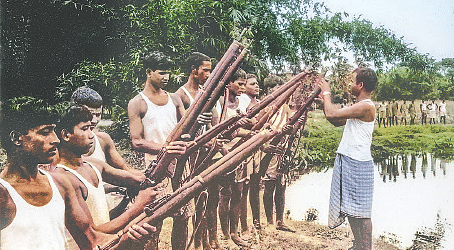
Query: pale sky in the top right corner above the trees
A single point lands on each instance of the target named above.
(427, 25)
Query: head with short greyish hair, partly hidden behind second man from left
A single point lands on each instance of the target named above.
(91, 99)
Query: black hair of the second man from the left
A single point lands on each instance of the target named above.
(71, 117)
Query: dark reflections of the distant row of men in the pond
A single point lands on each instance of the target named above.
(389, 168)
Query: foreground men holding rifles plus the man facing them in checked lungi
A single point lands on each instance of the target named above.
(57, 166)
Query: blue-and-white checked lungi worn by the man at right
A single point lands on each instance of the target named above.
(352, 190)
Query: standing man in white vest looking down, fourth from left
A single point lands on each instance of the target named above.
(153, 114)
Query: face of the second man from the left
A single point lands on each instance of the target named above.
(81, 140)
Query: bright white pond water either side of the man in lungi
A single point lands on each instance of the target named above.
(410, 194)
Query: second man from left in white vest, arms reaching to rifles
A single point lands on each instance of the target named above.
(76, 139)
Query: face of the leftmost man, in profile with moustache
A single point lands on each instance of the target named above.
(41, 143)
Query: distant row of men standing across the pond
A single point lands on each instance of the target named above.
(393, 114)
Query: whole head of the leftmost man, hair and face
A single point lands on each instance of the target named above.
(29, 121)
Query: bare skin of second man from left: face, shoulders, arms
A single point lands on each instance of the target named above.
(74, 145)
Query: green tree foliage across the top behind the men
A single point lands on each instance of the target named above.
(99, 43)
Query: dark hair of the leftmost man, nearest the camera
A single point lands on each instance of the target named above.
(21, 114)
